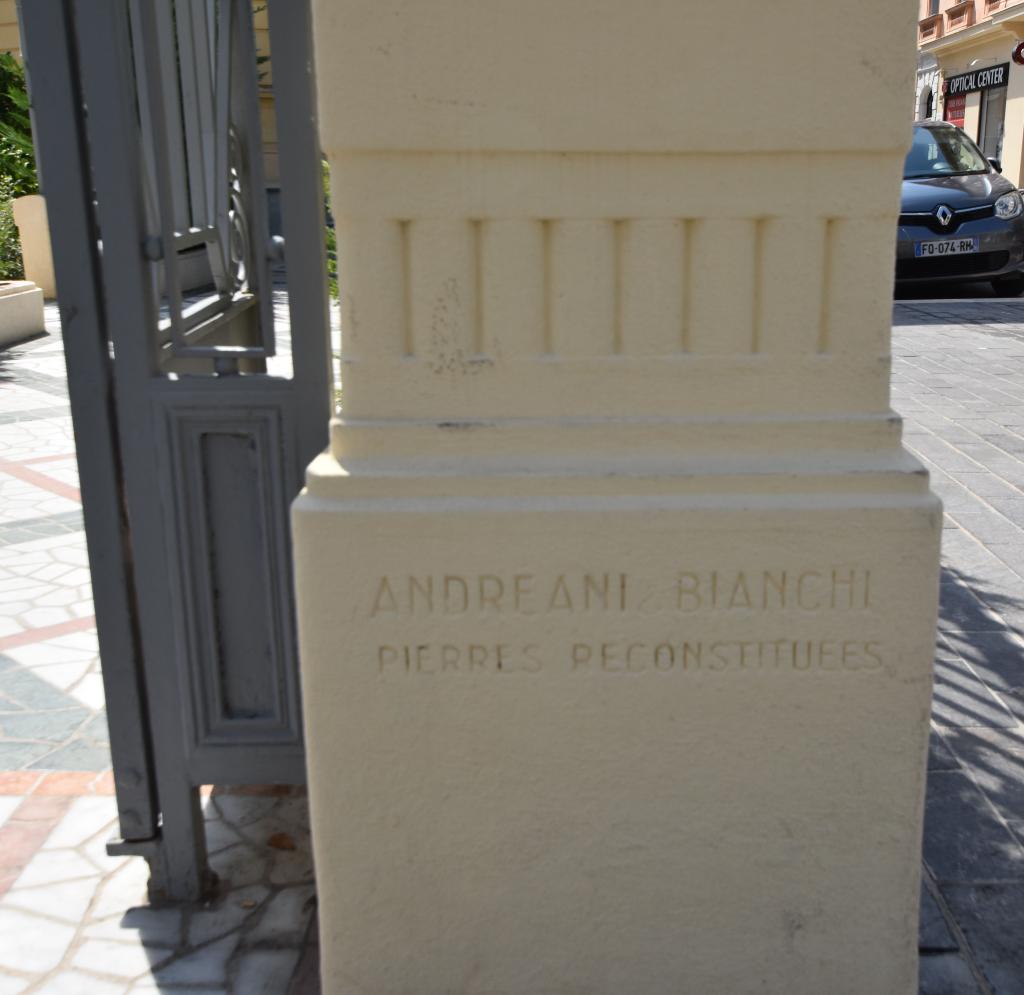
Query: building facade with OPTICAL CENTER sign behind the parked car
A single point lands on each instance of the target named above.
(977, 48)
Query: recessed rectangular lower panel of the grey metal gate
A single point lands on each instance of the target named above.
(231, 475)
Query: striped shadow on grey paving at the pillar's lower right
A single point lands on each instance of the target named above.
(973, 901)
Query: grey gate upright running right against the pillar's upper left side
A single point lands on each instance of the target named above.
(303, 218)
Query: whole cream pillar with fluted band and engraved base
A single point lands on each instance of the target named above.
(617, 590)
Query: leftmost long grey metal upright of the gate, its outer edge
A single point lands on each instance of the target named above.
(63, 156)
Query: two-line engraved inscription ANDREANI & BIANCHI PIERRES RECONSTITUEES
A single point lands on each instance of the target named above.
(685, 599)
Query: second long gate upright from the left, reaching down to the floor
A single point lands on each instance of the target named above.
(105, 51)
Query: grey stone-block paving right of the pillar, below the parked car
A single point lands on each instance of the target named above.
(959, 381)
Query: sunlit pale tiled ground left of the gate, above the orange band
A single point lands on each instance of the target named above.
(52, 698)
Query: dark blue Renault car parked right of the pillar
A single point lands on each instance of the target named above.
(960, 219)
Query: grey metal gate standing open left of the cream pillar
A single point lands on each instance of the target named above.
(193, 417)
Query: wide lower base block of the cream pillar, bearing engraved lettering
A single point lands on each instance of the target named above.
(613, 736)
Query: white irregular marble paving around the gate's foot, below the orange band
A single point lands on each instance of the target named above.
(75, 922)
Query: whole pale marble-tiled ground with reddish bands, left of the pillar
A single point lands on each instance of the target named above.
(74, 921)
